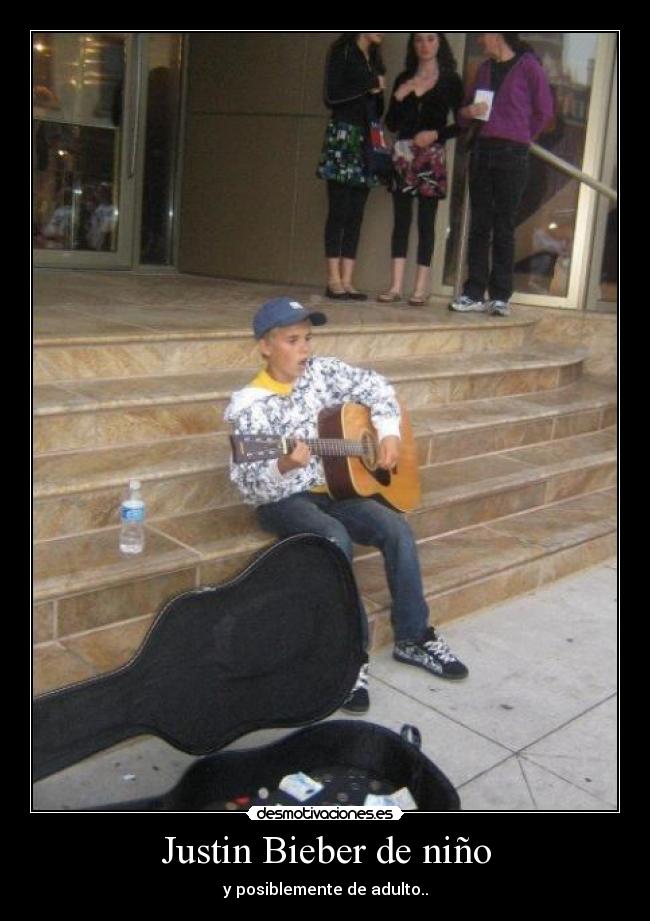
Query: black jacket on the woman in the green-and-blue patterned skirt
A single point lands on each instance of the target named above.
(349, 80)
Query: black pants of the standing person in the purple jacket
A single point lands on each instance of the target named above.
(497, 179)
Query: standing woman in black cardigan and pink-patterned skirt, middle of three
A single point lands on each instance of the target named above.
(424, 94)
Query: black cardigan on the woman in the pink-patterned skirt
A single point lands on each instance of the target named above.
(428, 112)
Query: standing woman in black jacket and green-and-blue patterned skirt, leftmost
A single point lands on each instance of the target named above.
(354, 85)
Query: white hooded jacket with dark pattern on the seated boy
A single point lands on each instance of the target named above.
(326, 382)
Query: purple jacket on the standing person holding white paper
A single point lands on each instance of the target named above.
(524, 104)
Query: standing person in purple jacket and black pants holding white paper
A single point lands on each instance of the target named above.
(517, 104)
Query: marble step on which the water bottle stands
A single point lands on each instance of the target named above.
(456, 495)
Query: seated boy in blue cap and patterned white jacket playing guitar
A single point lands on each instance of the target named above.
(290, 492)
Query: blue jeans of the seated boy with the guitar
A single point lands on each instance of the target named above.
(366, 522)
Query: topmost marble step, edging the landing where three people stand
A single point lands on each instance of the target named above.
(201, 343)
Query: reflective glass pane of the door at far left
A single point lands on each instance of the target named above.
(77, 95)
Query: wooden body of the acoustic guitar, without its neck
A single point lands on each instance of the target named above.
(358, 476)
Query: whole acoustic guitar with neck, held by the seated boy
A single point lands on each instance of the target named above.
(348, 447)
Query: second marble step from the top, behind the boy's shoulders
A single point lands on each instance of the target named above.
(99, 414)
